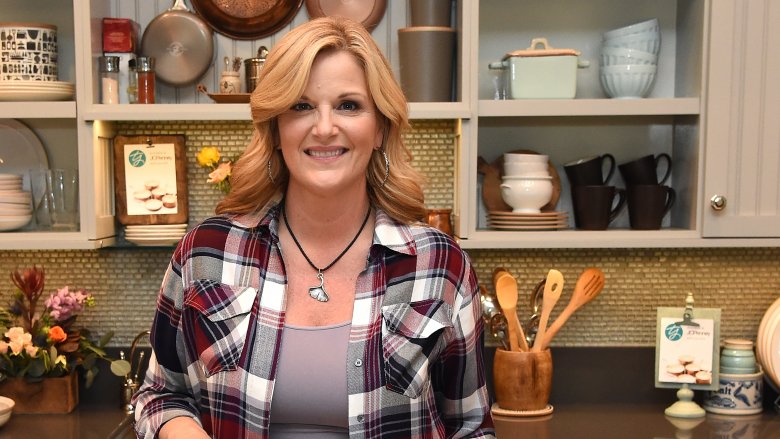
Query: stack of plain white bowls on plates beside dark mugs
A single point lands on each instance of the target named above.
(527, 183)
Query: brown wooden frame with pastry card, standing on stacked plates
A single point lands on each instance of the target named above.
(150, 180)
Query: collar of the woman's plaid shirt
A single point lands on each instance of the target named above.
(388, 232)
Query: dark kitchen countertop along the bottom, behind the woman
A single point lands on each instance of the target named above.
(602, 421)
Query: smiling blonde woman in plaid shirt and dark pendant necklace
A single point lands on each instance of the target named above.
(316, 304)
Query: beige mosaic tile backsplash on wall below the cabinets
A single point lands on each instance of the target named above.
(742, 282)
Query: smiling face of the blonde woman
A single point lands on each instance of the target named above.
(327, 137)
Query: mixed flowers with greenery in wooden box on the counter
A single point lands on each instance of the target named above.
(46, 343)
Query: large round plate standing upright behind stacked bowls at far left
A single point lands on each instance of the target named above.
(21, 150)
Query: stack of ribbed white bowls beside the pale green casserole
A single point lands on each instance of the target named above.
(629, 59)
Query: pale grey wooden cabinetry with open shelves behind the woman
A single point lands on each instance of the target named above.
(680, 117)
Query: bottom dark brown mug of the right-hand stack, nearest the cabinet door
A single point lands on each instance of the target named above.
(648, 204)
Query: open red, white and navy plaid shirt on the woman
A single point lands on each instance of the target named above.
(414, 366)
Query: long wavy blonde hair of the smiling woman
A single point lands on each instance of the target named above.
(282, 82)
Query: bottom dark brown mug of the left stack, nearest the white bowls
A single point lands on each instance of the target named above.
(595, 206)
